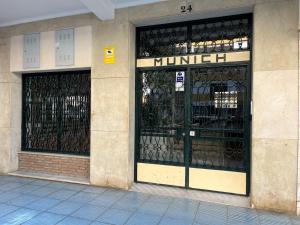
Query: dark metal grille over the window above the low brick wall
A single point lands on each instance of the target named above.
(56, 112)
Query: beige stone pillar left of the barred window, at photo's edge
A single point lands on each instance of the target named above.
(10, 111)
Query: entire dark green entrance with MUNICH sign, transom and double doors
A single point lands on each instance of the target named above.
(193, 94)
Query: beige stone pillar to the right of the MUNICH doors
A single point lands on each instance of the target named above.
(275, 106)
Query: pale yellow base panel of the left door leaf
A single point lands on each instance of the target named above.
(161, 174)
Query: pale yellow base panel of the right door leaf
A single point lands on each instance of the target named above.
(218, 180)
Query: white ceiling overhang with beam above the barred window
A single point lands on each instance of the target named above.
(14, 12)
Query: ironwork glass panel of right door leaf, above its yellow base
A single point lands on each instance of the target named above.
(219, 98)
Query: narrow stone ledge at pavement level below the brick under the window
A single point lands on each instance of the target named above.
(52, 177)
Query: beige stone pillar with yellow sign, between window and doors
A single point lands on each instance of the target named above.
(111, 124)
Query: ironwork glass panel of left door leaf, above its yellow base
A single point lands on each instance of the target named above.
(162, 118)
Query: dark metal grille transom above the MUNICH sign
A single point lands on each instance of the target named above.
(206, 36)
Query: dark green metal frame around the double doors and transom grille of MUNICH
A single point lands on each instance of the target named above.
(249, 78)
